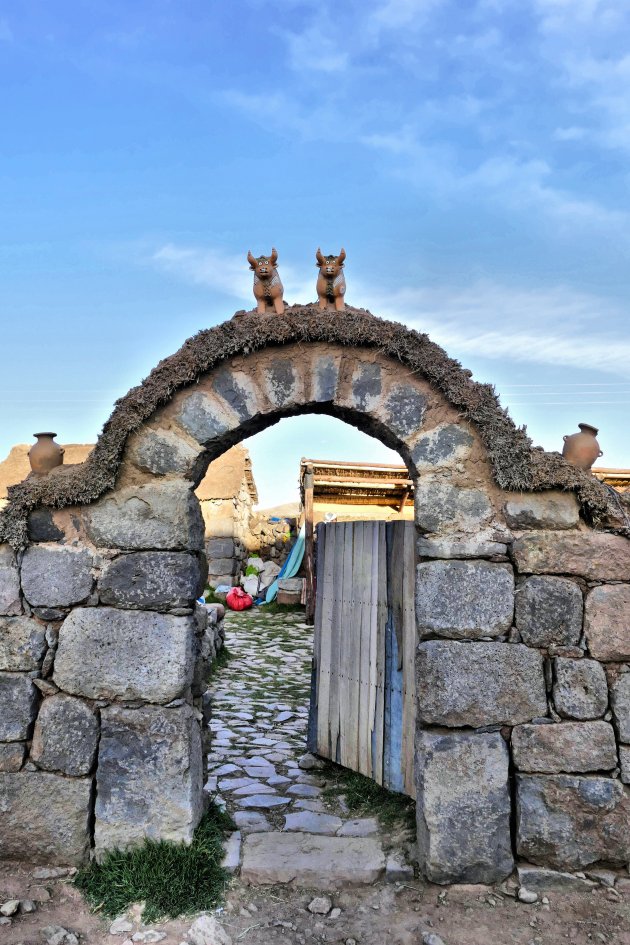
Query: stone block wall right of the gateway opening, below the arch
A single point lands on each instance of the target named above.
(523, 678)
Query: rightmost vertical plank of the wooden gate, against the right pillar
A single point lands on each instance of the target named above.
(409, 654)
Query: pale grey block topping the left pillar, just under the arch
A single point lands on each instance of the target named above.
(164, 515)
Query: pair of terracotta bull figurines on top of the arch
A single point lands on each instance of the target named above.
(268, 289)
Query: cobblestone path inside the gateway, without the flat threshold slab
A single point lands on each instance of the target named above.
(260, 716)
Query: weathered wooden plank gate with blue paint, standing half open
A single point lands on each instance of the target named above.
(363, 688)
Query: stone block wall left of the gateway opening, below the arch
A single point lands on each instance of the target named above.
(104, 657)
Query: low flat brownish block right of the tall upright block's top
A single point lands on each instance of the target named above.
(570, 746)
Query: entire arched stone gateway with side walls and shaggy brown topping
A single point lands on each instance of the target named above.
(522, 604)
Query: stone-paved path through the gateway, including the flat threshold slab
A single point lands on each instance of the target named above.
(260, 704)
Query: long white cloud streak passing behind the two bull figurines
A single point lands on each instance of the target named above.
(489, 319)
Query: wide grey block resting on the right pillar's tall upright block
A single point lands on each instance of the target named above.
(477, 684)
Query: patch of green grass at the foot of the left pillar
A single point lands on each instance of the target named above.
(172, 879)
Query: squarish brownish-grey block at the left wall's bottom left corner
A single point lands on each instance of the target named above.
(44, 818)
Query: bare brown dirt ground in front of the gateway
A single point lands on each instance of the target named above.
(377, 915)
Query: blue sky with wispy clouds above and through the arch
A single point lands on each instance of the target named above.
(472, 157)
